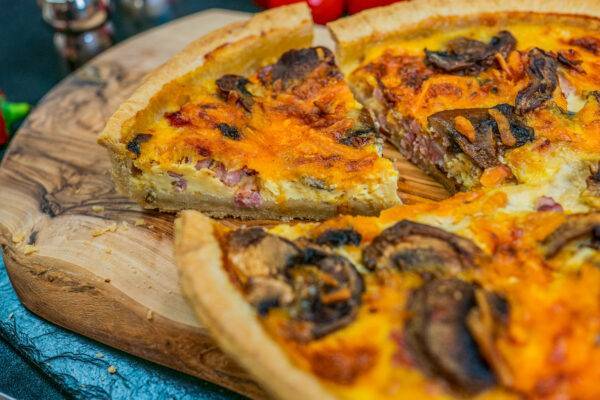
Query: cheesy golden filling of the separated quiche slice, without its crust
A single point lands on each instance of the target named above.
(291, 131)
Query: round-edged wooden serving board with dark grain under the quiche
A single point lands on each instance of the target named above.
(119, 287)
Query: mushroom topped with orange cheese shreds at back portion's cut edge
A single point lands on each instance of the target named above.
(482, 133)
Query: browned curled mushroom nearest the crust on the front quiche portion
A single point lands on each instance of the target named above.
(322, 291)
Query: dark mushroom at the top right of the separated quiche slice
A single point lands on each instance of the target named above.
(294, 65)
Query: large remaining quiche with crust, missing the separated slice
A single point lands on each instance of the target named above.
(493, 293)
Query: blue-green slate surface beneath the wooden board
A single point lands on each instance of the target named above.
(80, 367)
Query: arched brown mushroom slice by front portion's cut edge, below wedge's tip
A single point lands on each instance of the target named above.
(410, 246)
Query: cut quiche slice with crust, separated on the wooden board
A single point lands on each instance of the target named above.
(249, 121)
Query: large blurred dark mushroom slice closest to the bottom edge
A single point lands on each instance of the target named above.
(438, 338)
